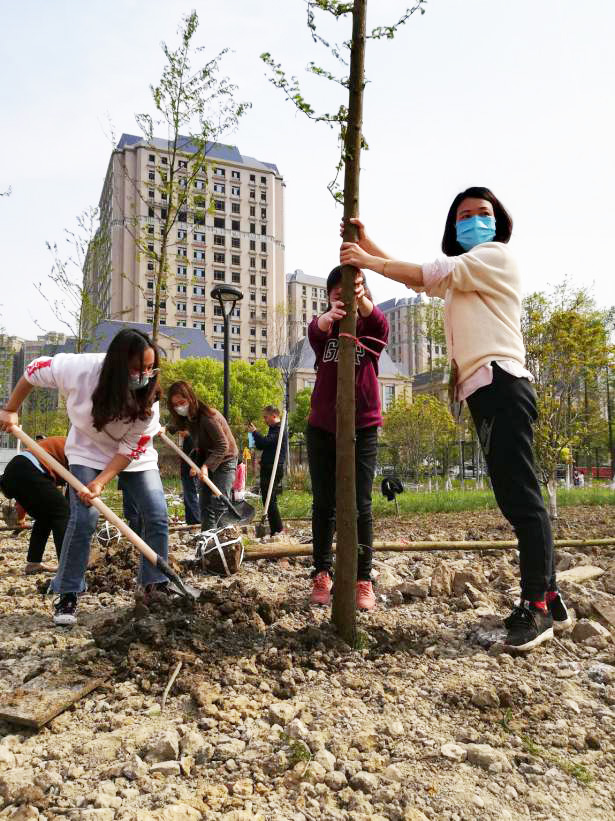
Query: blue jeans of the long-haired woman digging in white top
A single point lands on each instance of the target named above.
(145, 493)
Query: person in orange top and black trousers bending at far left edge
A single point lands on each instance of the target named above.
(34, 486)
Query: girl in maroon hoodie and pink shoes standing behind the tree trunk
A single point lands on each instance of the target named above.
(323, 334)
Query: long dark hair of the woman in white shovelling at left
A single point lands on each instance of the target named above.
(113, 398)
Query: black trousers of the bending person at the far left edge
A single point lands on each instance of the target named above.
(45, 504)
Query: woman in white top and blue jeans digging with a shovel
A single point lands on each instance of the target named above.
(112, 403)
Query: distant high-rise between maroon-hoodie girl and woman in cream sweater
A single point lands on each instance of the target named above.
(416, 342)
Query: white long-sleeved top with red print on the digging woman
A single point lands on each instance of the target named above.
(76, 377)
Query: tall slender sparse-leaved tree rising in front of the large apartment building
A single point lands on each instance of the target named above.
(194, 106)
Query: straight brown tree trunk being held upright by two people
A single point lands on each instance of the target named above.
(344, 597)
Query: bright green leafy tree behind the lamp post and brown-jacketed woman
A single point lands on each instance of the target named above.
(251, 387)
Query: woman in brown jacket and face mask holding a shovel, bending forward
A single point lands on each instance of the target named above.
(215, 447)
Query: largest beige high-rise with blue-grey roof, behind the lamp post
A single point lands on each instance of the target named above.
(236, 238)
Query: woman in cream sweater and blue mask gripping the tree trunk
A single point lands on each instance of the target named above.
(480, 284)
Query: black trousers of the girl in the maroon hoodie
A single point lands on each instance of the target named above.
(321, 458)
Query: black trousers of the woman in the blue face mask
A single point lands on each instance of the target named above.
(504, 413)
